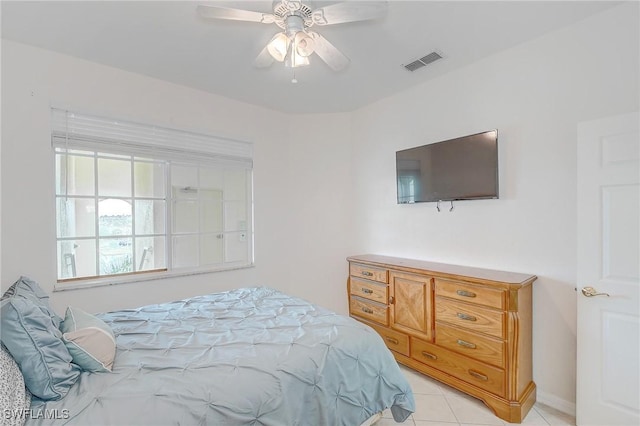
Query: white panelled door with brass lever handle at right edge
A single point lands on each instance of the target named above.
(608, 376)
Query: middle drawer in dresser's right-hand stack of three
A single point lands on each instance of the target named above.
(471, 317)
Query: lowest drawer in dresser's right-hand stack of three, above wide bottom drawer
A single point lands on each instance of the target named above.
(482, 348)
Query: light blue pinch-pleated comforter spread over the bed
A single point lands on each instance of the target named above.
(252, 356)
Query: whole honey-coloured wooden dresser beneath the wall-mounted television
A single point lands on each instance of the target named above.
(467, 327)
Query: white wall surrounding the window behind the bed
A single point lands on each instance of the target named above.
(35, 79)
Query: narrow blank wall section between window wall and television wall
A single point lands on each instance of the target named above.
(322, 226)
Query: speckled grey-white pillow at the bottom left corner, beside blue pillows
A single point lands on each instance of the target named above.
(14, 396)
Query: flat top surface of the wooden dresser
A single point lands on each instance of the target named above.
(444, 269)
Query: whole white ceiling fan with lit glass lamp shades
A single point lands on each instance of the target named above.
(297, 42)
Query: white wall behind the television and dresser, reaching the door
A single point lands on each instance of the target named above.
(534, 94)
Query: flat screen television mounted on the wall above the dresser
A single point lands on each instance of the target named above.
(464, 168)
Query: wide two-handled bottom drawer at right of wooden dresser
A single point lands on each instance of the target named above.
(476, 373)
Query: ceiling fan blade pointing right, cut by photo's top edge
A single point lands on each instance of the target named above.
(349, 12)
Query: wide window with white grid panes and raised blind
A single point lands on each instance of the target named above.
(128, 201)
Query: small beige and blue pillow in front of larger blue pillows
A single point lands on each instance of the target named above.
(89, 340)
